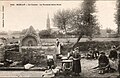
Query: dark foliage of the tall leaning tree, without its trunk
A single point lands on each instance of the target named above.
(89, 25)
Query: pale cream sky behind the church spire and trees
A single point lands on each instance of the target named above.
(34, 13)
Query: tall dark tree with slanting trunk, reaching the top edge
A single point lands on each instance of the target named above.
(85, 21)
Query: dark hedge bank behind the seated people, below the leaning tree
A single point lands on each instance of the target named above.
(84, 46)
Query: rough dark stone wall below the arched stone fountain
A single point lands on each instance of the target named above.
(33, 56)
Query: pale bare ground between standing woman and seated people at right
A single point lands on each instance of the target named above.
(88, 71)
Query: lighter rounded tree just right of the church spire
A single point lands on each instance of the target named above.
(62, 18)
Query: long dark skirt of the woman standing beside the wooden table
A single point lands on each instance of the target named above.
(76, 66)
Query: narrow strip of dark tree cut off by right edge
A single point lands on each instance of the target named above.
(117, 16)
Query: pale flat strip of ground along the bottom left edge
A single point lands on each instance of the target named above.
(21, 74)
